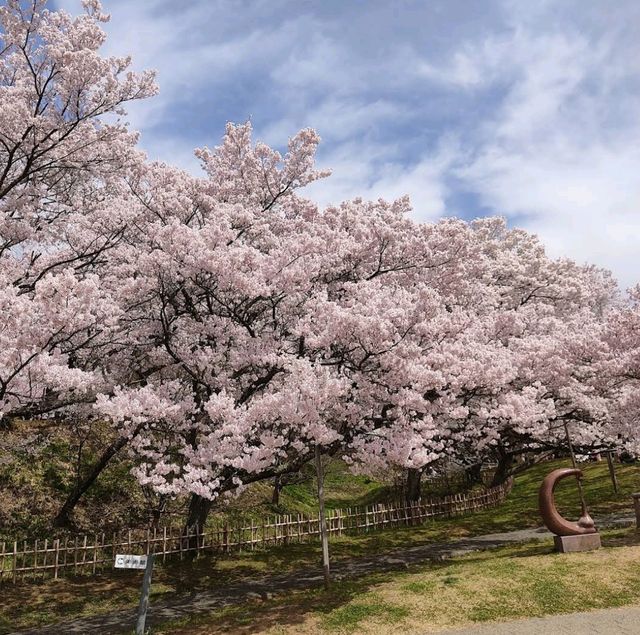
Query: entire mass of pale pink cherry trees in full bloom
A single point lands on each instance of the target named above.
(231, 331)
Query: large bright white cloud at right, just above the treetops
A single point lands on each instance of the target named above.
(561, 154)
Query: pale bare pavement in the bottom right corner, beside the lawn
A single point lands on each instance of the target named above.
(625, 621)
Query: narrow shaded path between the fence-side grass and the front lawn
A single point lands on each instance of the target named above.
(182, 605)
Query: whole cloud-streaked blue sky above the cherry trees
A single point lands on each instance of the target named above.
(530, 110)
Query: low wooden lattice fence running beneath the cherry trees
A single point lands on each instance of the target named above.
(91, 554)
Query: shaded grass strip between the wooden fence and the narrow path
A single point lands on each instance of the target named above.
(56, 600)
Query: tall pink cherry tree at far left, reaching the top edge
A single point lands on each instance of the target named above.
(62, 199)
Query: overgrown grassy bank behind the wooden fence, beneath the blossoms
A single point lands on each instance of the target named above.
(35, 482)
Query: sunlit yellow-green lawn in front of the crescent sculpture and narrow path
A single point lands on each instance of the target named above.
(502, 584)
